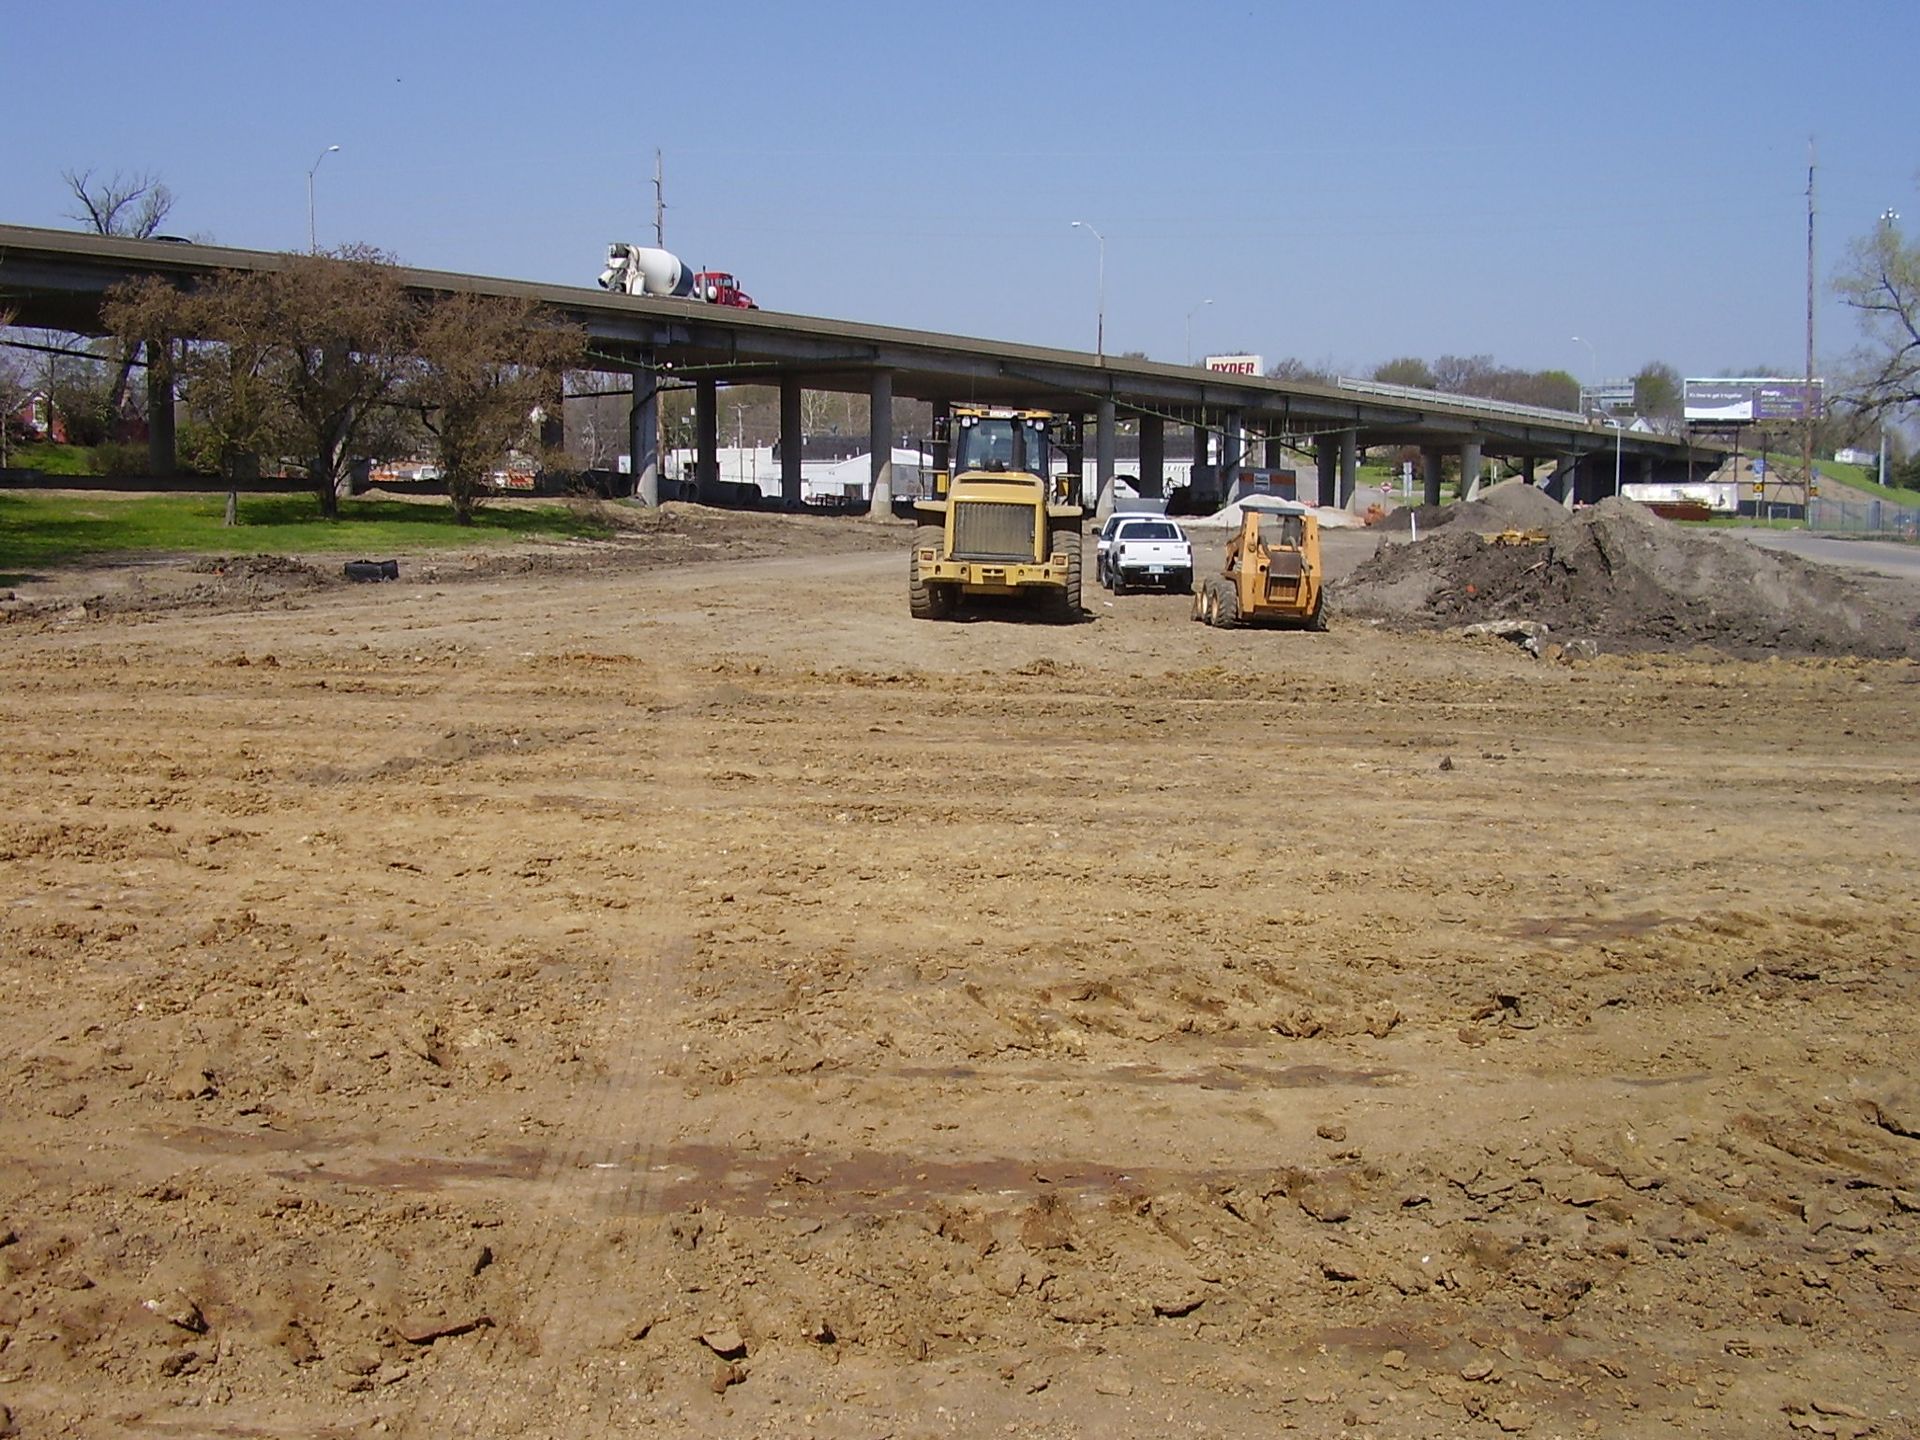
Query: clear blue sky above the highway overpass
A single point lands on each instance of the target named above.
(1347, 183)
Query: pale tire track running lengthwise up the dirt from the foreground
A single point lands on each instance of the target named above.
(535, 1372)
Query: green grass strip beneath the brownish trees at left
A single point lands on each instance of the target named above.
(51, 531)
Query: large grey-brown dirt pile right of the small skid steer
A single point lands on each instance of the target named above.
(1625, 579)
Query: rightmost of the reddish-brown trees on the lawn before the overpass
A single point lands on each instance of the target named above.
(483, 366)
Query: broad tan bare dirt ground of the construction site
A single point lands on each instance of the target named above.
(631, 997)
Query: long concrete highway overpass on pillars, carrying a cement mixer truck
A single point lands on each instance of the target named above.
(59, 279)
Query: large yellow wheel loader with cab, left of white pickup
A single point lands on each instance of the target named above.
(997, 521)
